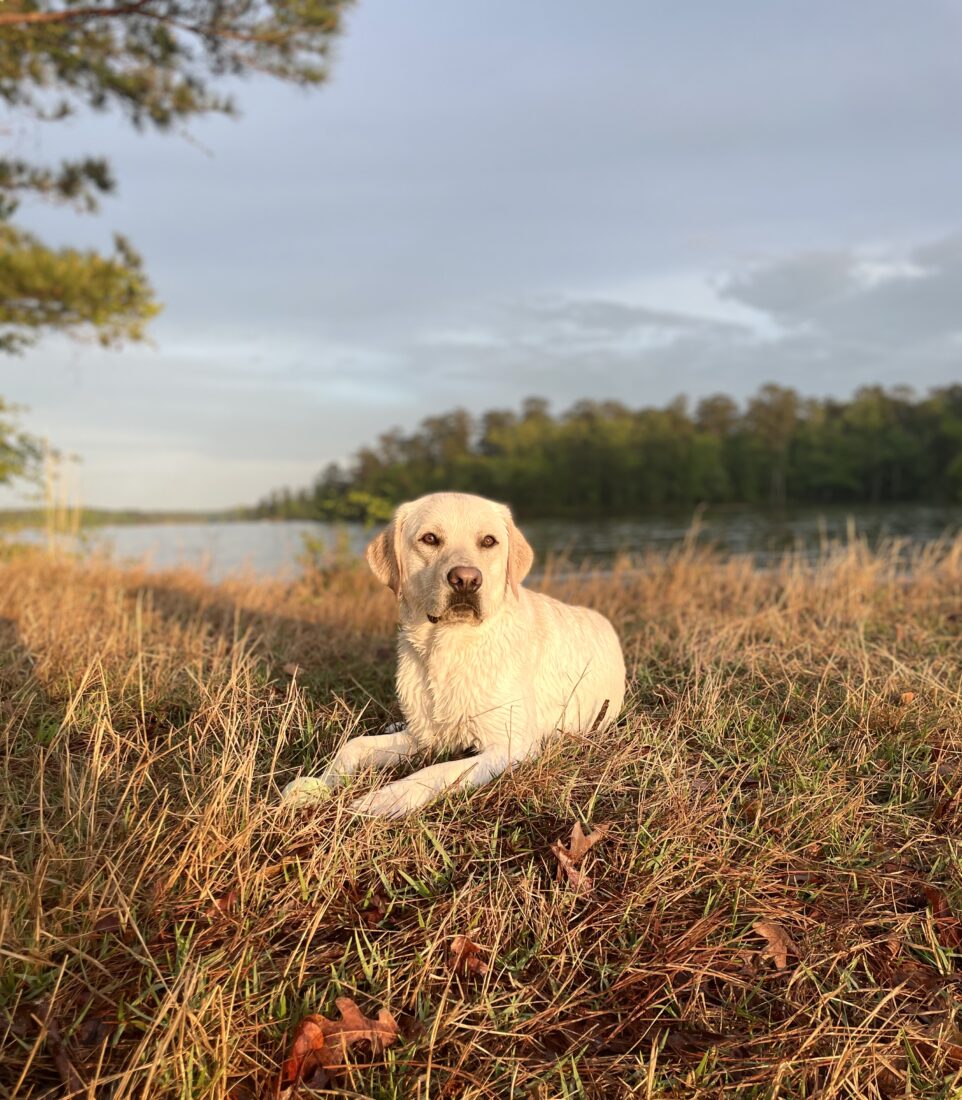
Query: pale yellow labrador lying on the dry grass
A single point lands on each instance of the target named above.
(484, 665)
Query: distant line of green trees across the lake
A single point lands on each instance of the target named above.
(604, 459)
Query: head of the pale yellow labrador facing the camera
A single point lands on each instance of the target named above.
(450, 557)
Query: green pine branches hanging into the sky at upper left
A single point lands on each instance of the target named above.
(159, 63)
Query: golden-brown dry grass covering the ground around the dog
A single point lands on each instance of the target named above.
(164, 928)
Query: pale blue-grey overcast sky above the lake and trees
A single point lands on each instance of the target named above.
(492, 201)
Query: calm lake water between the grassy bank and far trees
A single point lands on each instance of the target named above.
(275, 548)
